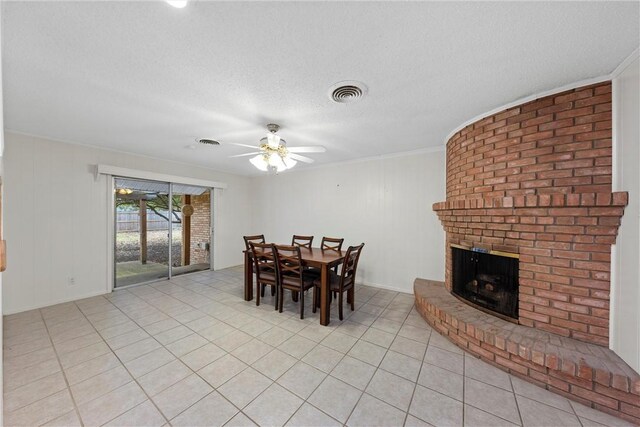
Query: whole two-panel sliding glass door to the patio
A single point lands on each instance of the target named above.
(149, 215)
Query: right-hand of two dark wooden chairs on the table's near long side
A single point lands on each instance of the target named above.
(292, 275)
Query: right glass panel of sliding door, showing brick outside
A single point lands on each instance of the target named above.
(191, 229)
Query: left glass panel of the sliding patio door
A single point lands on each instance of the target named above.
(142, 218)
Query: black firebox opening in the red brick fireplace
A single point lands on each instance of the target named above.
(487, 281)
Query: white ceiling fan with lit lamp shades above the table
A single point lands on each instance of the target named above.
(274, 155)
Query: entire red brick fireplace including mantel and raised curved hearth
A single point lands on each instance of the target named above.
(534, 181)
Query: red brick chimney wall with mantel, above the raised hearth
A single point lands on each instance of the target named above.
(536, 180)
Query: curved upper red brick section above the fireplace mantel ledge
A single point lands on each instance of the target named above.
(557, 144)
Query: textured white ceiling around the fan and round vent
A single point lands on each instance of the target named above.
(144, 77)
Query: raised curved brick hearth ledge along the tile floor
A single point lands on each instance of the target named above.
(590, 374)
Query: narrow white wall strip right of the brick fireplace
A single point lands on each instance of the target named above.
(625, 286)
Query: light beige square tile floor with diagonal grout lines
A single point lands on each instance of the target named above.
(191, 352)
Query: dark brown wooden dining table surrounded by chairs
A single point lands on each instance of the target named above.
(323, 259)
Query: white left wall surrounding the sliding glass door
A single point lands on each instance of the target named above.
(56, 214)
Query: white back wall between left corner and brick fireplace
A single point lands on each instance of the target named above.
(385, 203)
